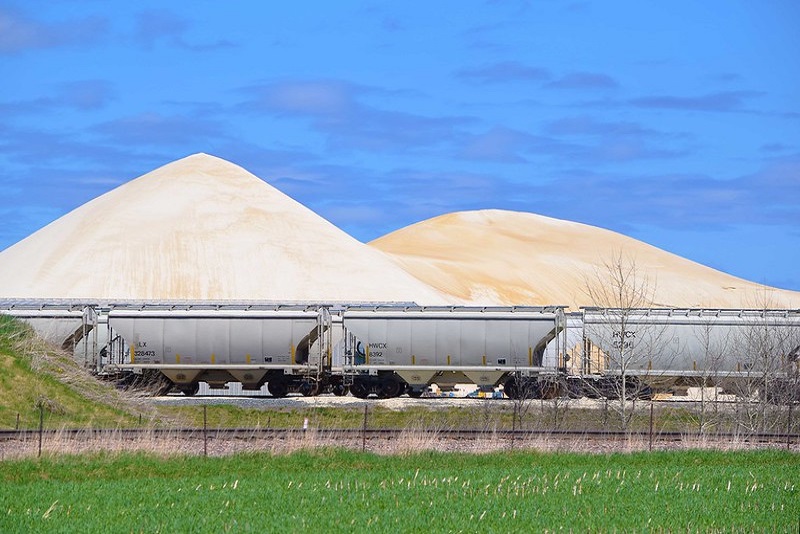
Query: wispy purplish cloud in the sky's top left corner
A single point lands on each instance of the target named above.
(19, 33)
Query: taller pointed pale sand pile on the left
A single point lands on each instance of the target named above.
(201, 228)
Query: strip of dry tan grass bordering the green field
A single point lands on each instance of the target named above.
(412, 440)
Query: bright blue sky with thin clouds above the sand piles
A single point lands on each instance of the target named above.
(677, 123)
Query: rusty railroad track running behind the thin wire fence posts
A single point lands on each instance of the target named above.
(387, 433)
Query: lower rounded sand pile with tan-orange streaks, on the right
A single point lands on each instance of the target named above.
(503, 257)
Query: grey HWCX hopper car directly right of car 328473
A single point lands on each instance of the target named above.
(395, 349)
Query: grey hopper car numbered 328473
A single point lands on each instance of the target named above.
(248, 344)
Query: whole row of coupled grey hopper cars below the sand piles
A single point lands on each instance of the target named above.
(384, 350)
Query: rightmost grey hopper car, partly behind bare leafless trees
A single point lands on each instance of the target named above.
(737, 350)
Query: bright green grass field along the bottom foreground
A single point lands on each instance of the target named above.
(347, 491)
